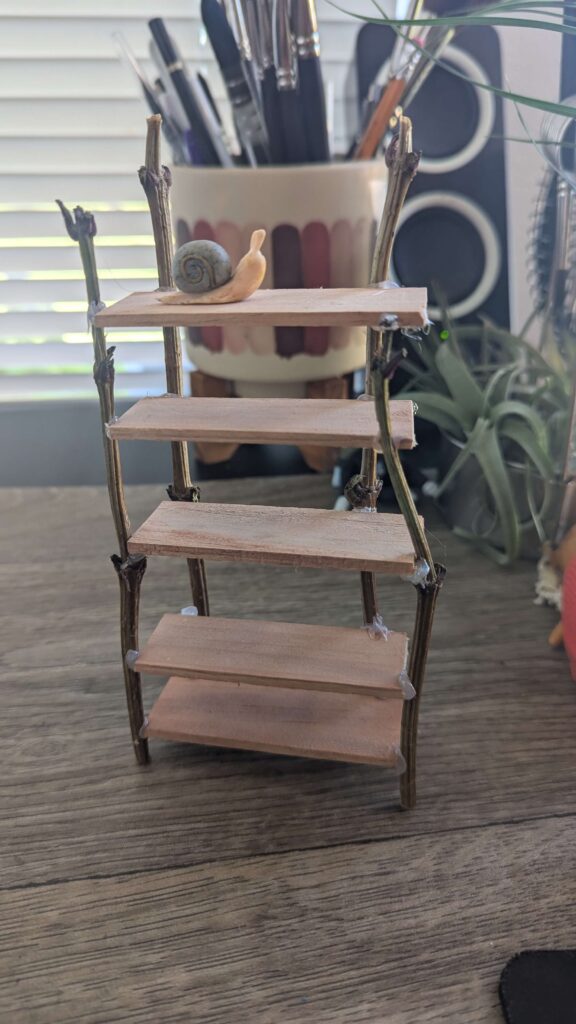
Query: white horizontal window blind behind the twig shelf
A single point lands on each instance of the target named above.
(72, 127)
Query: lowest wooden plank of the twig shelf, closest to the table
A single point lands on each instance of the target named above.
(301, 723)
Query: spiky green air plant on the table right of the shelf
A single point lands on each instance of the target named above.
(504, 405)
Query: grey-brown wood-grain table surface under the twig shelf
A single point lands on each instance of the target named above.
(217, 887)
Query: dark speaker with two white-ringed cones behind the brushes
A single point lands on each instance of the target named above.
(452, 235)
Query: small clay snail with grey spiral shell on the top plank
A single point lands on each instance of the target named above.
(203, 273)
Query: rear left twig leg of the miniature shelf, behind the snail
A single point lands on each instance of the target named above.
(156, 182)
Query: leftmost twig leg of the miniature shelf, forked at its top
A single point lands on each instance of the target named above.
(131, 569)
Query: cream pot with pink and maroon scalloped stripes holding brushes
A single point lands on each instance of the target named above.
(320, 222)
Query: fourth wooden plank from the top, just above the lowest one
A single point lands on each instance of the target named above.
(271, 654)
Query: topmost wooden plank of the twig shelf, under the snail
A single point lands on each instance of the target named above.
(277, 308)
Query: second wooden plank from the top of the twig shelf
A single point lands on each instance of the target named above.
(264, 421)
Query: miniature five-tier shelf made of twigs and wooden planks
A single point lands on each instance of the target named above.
(286, 689)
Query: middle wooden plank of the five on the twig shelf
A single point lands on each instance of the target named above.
(311, 538)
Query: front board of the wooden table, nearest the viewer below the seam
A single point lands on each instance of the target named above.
(410, 931)
